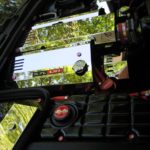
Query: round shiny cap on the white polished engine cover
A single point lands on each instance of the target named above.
(80, 67)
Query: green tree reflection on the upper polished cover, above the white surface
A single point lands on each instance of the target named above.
(65, 34)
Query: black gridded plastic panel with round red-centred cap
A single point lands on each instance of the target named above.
(95, 116)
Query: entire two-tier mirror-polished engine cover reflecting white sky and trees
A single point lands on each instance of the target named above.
(60, 52)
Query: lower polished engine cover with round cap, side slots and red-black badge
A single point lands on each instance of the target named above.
(54, 67)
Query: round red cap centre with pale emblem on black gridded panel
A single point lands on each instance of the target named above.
(61, 112)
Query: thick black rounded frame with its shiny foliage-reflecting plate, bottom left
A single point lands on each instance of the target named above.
(17, 109)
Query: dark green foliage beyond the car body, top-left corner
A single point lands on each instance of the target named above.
(9, 7)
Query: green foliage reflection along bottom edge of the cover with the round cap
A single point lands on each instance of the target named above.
(68, 76)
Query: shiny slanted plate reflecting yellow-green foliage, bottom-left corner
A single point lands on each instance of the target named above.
(13, 124)
